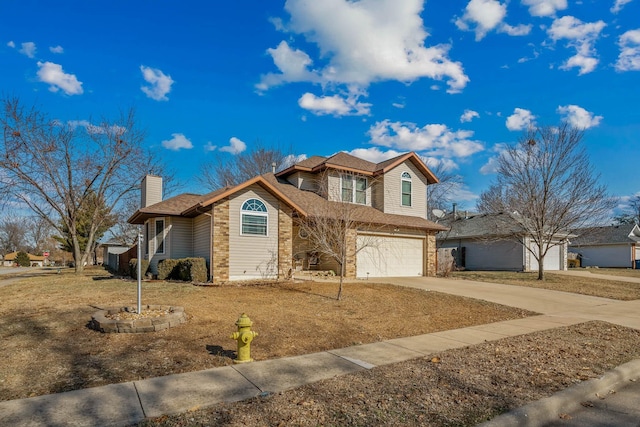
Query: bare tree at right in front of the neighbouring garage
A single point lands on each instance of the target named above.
(547, 180)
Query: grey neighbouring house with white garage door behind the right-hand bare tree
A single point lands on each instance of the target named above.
(494, 242)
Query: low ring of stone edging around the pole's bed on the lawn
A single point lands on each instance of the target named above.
(174, 317)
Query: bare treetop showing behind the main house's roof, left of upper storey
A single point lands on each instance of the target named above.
(227, 170)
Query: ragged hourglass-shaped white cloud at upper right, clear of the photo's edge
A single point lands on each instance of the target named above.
(582, 36)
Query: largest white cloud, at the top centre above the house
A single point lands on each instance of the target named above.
(361, 43)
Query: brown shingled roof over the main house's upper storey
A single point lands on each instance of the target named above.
(348, 163)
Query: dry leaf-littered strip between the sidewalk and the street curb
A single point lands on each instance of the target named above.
(467, 386)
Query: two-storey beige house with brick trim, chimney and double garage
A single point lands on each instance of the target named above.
(252, 230)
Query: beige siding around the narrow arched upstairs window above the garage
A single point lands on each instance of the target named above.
(392, 191)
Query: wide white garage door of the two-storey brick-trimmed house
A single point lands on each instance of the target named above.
(389, 257)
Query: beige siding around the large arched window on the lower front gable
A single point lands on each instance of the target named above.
(253, 256)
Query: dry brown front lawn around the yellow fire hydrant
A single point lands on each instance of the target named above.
(48, 348)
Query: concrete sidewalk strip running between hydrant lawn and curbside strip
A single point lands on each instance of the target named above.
(128, 403)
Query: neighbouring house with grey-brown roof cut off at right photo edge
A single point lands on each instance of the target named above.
(613, 246)
